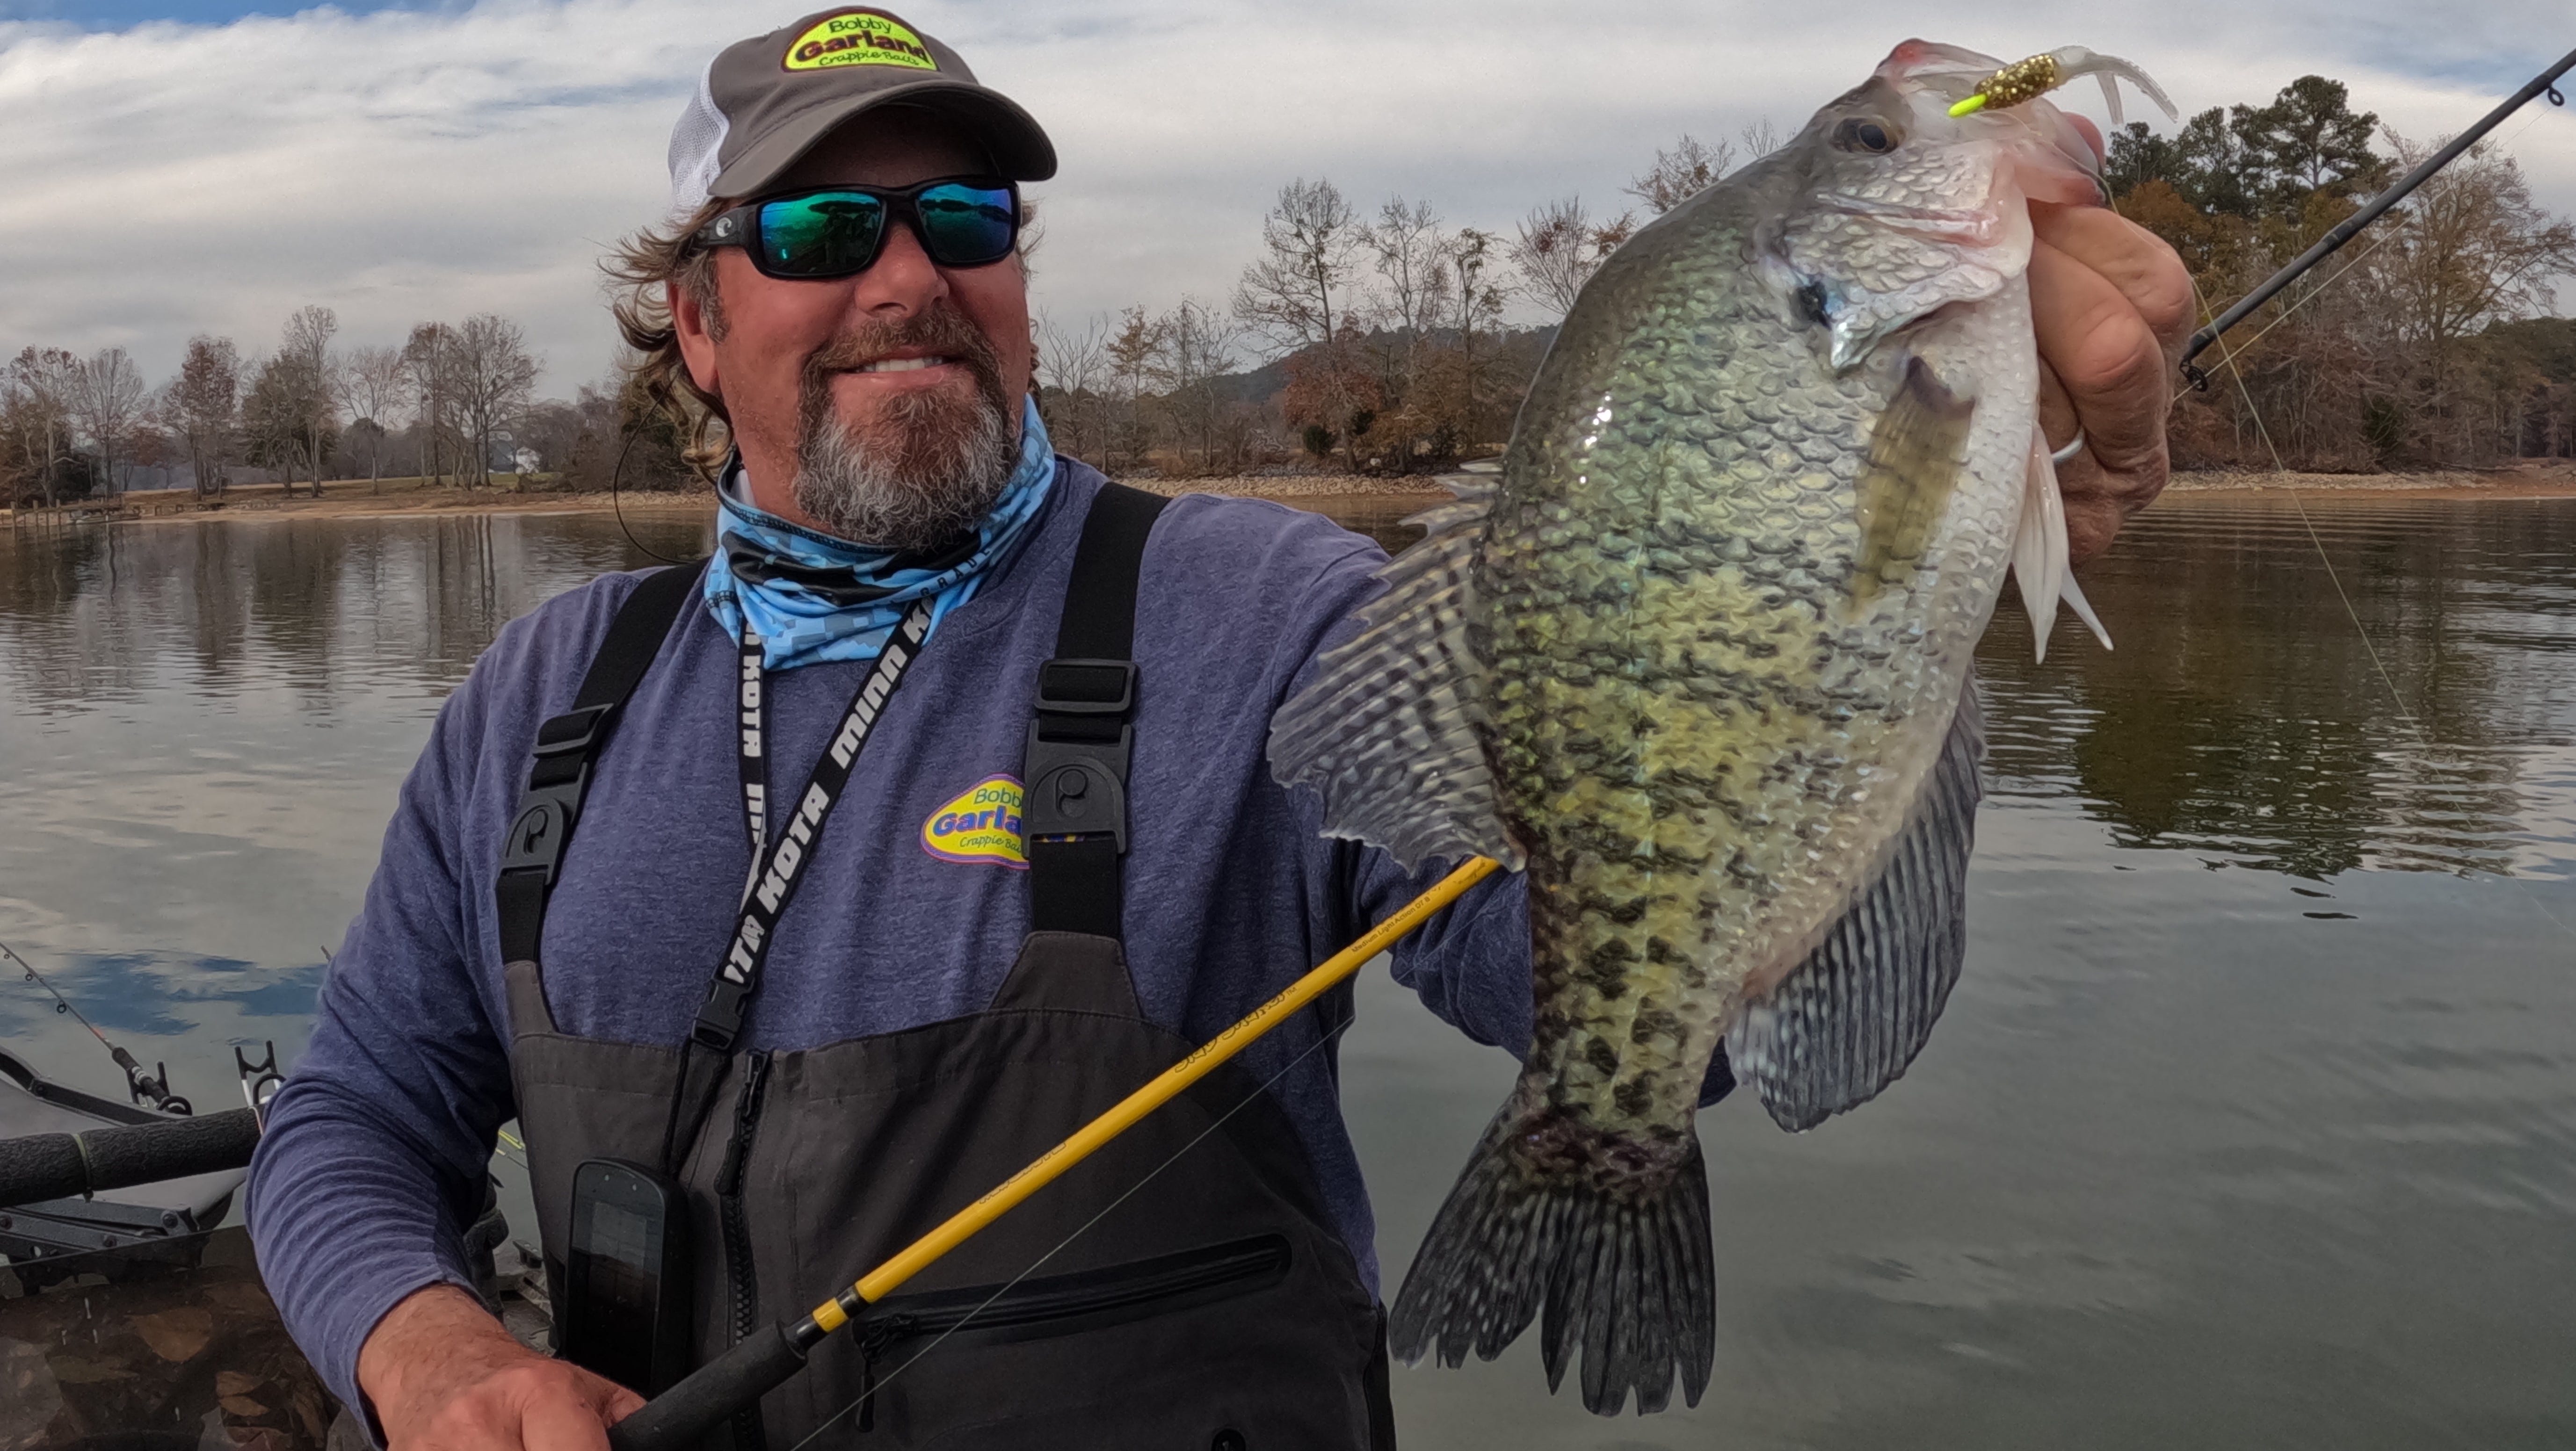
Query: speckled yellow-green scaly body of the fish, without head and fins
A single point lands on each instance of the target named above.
(1689, 736)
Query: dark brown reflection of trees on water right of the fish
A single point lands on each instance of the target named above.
(2245, 715)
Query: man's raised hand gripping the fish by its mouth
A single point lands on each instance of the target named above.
(2114, 308)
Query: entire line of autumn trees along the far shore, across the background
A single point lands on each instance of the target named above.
(1390, 341)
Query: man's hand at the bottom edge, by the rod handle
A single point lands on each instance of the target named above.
(447, 1378)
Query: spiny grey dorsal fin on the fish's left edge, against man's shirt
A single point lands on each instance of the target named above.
(1387, 731)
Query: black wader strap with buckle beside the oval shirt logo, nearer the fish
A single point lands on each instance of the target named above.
(1078, 749)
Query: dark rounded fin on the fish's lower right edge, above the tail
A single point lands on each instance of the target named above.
(1851, 1019)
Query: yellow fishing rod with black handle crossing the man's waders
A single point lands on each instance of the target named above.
(769, 1357)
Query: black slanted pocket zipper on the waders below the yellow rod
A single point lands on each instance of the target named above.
(1137, 1290)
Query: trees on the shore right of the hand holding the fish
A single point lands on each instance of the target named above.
(2423, 344)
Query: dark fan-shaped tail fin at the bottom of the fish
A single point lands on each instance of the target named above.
(1619, 1269)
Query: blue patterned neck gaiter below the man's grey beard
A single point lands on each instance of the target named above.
(826, 599)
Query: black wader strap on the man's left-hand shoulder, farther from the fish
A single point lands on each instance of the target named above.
(565, 749)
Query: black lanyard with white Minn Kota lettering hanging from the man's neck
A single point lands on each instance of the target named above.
(782, 862)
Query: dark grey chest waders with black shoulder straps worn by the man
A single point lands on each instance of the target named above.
(1217, 1311)
